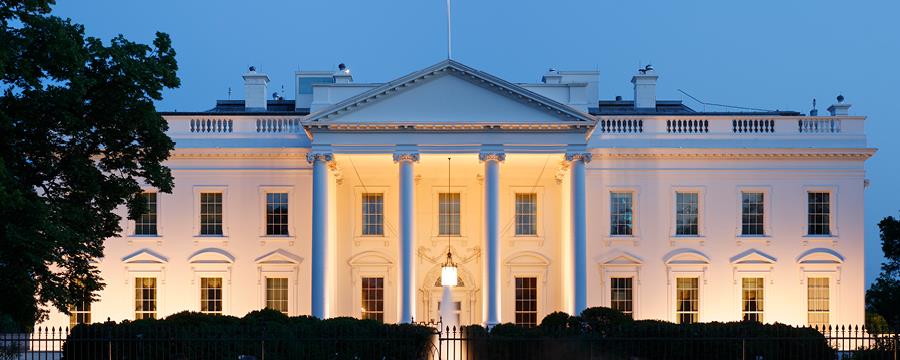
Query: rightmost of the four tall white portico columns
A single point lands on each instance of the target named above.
(579, 228)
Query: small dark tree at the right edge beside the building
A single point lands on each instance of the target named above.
(883, 297)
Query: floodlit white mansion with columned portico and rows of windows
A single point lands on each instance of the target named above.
(343, 201)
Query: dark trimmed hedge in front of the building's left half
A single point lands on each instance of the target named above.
(190, 335)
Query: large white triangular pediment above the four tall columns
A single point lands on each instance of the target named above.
(448, 93)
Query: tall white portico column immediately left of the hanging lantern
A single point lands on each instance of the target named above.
(407, 231)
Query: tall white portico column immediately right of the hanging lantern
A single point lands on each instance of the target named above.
(492, 162)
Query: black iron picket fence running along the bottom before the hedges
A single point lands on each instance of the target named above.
(465, 343)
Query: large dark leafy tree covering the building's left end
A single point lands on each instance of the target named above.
(79, 134)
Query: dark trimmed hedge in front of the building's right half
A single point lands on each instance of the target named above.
(609, 334)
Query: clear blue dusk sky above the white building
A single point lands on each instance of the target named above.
(766, 54)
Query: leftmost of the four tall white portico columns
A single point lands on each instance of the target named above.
(319, 261)
